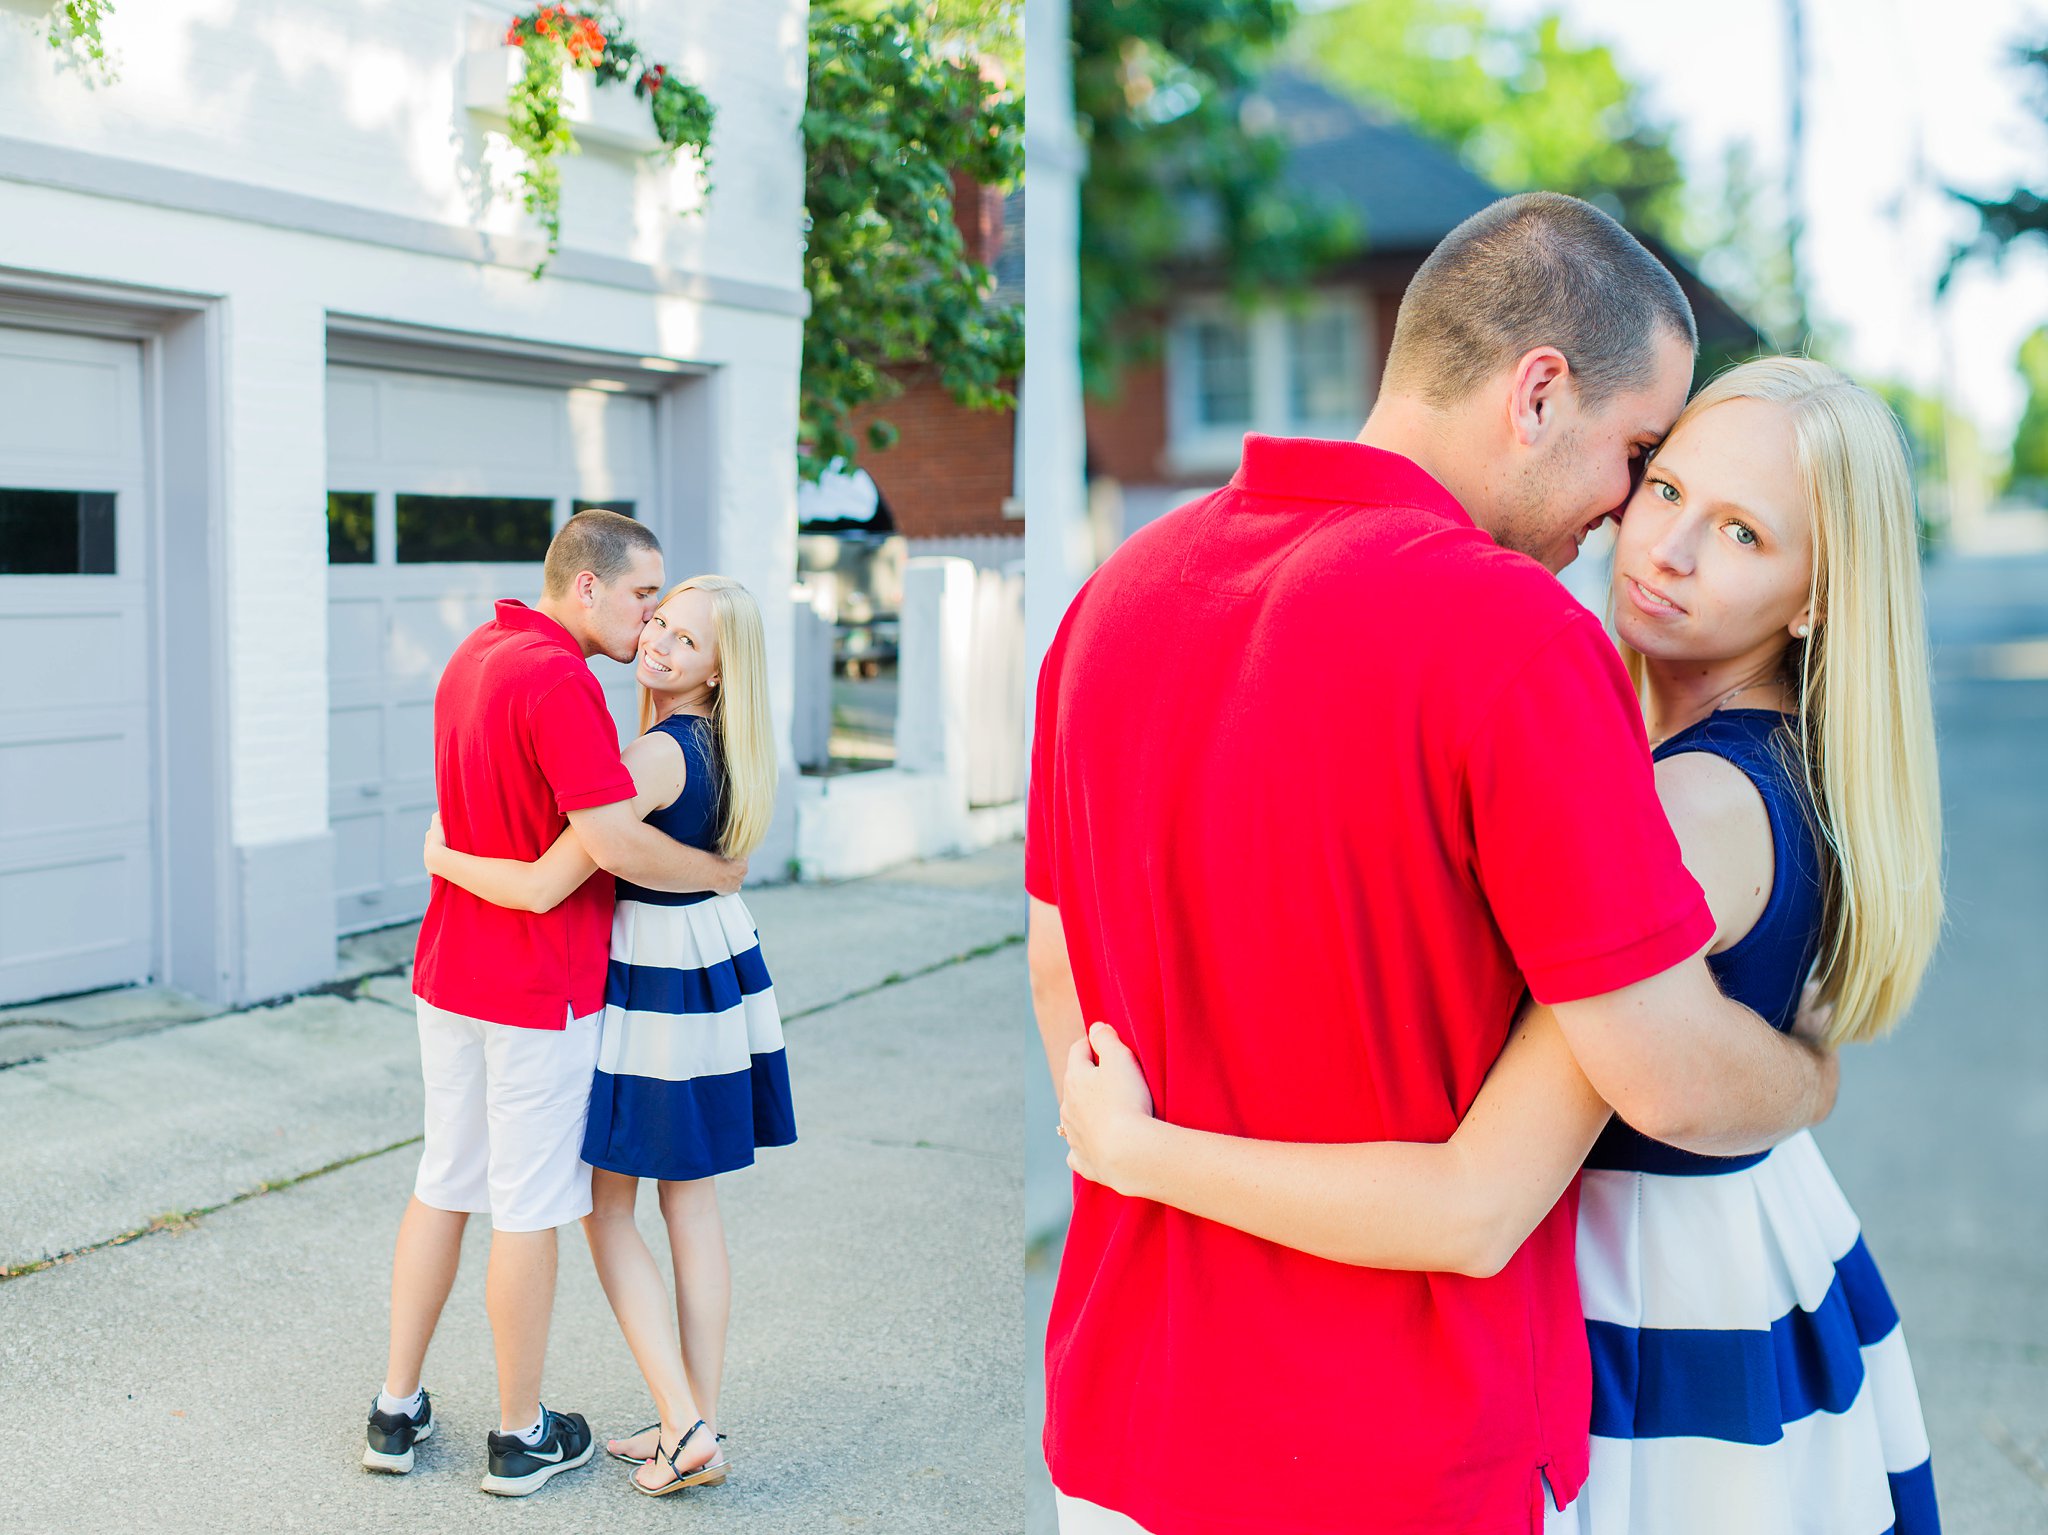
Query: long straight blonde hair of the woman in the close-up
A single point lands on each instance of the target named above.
(1867, 709)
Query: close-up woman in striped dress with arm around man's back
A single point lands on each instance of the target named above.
(1748, 1364)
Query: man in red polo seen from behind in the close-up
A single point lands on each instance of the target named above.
(1328, 771)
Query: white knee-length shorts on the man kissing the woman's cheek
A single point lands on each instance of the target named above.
(505, 1119)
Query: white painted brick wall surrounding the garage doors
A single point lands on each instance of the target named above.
(359, 105)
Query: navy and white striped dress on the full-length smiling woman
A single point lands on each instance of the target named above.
(691, 1069)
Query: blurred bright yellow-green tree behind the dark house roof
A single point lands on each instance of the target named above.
(1523, 103)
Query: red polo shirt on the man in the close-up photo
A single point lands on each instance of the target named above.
(1322, 781)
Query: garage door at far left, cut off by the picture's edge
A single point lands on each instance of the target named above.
(79, 670)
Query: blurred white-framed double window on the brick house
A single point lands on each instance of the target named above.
(1291, 369)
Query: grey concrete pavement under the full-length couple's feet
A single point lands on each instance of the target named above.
(212, 1374)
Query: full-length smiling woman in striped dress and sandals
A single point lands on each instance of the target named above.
(691, 1069)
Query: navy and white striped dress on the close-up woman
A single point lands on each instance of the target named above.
(1748, 1364)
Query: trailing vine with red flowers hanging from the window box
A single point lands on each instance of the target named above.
(556, 40)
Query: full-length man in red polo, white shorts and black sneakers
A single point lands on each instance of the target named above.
(509, 1000)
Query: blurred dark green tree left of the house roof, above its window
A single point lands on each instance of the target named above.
(1179, 169)
